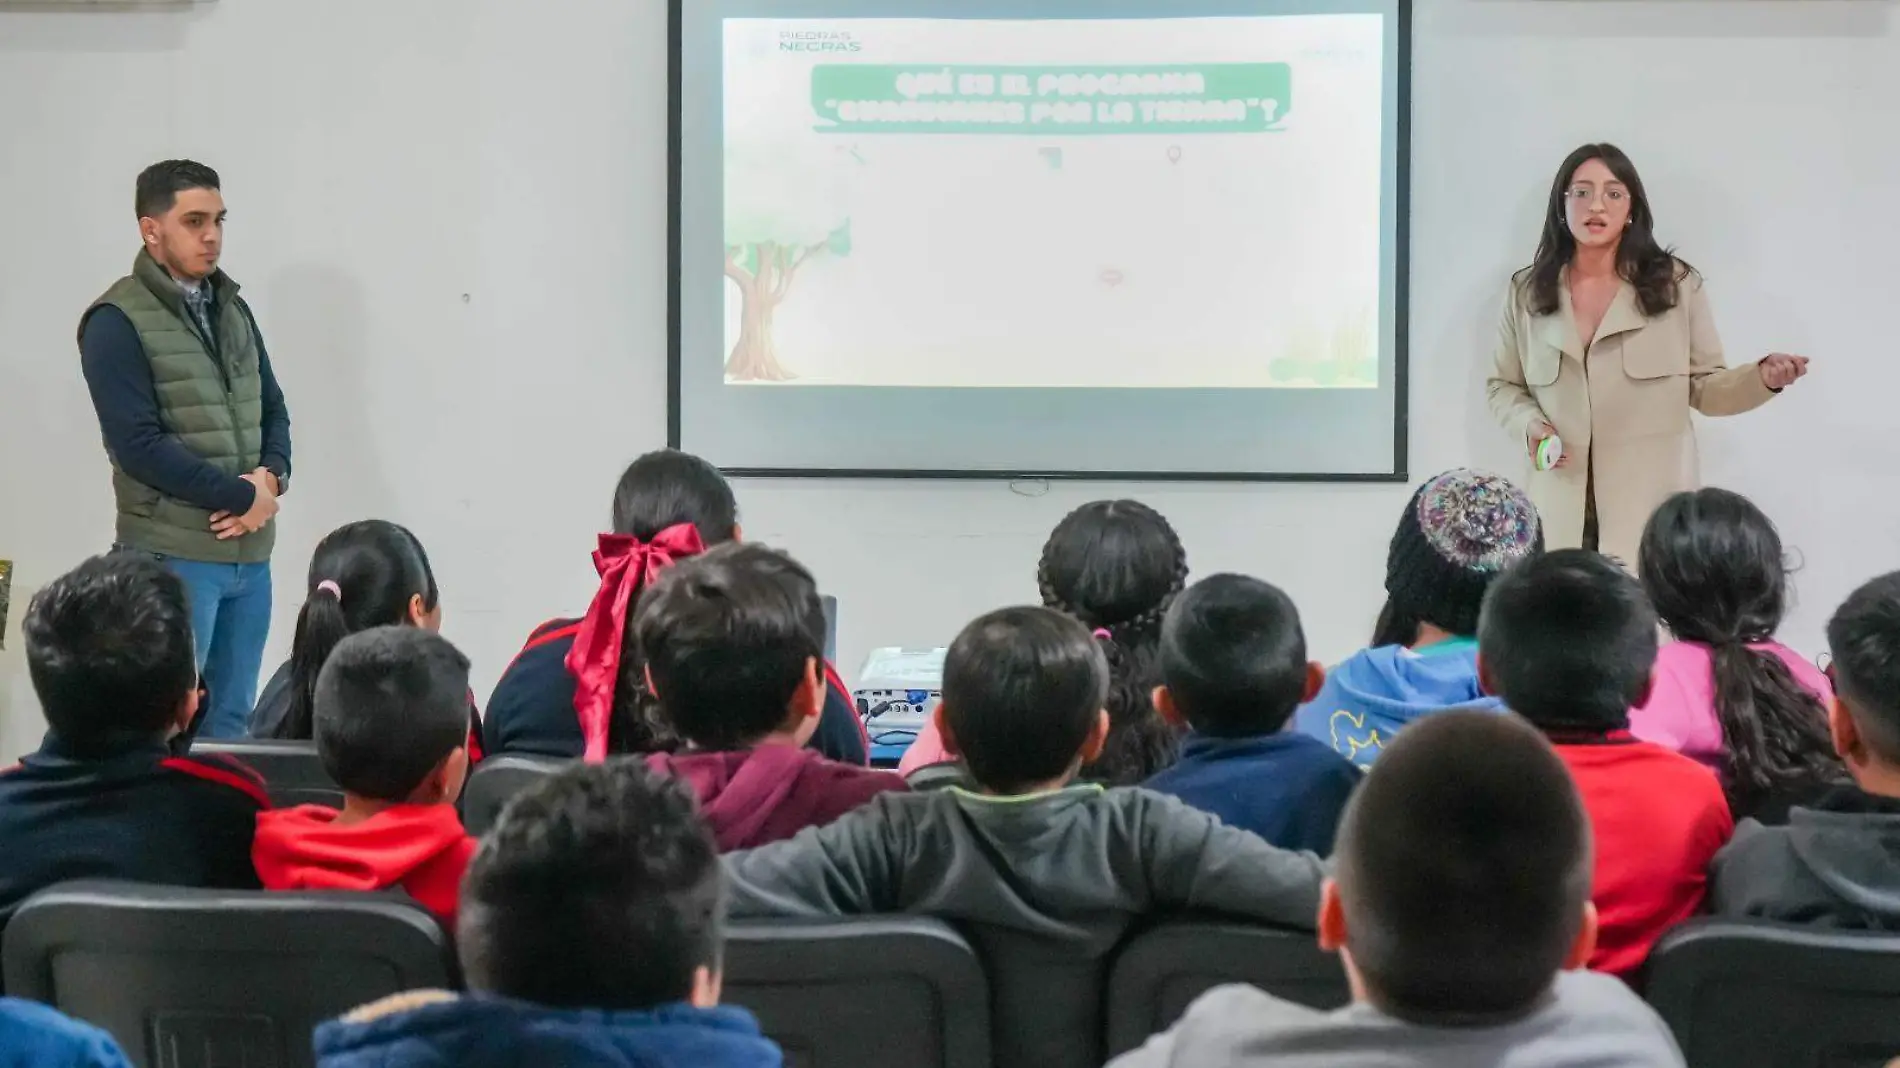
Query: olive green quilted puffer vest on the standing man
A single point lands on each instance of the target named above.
(210, 398)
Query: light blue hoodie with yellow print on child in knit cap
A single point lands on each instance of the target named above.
(1380, 691)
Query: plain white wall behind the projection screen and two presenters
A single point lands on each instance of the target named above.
(451, 219)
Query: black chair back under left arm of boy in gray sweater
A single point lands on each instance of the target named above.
(873, 993)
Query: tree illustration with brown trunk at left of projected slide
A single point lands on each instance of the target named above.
(782, 214)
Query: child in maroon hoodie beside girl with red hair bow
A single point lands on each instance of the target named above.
(734, 647)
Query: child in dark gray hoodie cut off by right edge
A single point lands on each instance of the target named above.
(1838, 862)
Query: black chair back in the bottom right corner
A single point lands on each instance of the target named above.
(1749, 995)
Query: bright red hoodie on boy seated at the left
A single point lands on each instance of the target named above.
(419, 849)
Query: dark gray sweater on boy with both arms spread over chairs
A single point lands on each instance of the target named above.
(1074, 866)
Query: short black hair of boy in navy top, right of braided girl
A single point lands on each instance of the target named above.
(1234, 657)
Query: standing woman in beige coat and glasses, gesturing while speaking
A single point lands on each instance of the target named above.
(1608, 343)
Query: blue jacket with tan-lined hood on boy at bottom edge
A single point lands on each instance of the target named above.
(444, 1031)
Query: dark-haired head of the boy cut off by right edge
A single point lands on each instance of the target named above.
(1865, 641)
